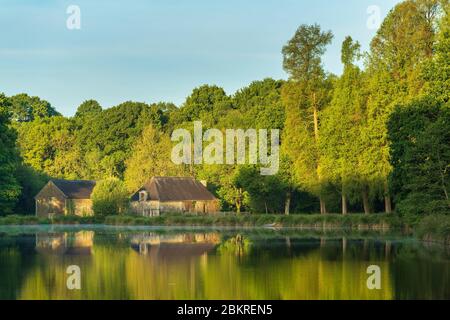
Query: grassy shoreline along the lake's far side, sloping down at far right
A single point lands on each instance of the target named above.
(315, 223)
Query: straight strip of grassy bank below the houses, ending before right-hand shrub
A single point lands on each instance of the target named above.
(324, 222)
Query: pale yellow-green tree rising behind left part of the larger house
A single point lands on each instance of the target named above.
(151, 156)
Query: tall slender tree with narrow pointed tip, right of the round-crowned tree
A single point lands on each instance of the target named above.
(341, 128)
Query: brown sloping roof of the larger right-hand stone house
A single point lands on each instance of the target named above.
(167, 189)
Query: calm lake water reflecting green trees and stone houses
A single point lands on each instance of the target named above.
(175, 263)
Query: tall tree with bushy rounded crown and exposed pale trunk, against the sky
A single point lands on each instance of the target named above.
(305, 95)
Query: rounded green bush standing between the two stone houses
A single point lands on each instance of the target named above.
(110, 197)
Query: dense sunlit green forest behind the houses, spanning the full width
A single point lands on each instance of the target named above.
(375, 139)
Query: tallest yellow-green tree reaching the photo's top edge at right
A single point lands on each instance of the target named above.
(403, 44)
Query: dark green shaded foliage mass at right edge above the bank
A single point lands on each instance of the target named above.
(420, 155)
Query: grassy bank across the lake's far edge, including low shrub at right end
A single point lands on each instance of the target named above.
(435, 228)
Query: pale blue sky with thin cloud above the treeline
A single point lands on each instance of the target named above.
(159, 50)
